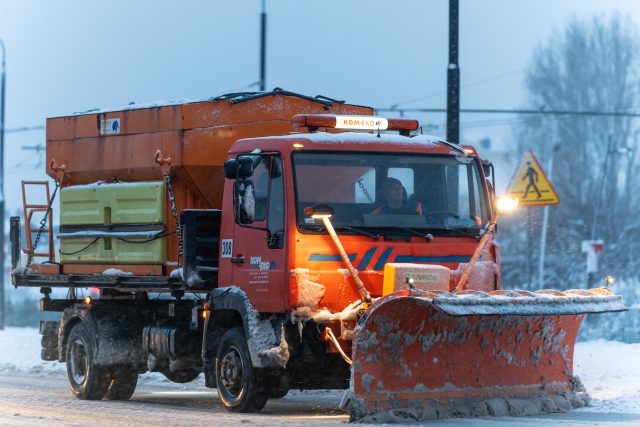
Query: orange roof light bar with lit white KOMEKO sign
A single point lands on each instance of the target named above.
(314, 121)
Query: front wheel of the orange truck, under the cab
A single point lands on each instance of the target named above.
(239, 384)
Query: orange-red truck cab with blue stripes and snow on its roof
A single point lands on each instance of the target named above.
(285, 260)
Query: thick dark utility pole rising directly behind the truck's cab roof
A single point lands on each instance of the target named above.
(453, 77)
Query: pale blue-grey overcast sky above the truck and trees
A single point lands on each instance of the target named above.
(68, 56)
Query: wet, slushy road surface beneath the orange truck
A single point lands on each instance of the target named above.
(44, 400)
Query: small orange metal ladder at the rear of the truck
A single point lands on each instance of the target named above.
(29, 210)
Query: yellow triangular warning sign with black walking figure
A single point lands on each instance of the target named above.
(530, 184)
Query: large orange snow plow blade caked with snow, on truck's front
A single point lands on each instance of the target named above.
(424, 355)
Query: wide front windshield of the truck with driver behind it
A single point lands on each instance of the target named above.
(390, 191)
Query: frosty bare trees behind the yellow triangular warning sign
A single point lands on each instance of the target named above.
(591, 66)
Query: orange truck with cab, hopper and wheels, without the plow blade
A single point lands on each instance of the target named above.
(236, 275)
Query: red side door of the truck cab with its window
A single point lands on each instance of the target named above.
(259, 247)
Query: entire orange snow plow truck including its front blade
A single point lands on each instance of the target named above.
(273, 241)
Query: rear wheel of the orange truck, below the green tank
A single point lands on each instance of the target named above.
(87, 380)
